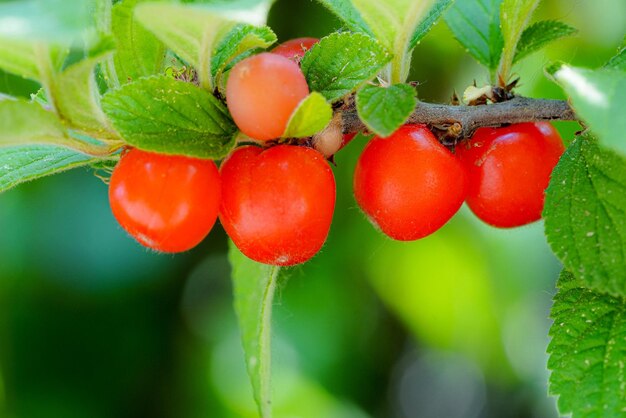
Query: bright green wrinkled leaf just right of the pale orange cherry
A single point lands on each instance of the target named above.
(341, 63)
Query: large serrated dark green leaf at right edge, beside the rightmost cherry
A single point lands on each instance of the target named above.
(584, 215)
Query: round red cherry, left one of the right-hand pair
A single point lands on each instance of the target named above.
(409, 185)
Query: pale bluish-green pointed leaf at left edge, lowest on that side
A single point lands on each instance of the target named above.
(25, 163)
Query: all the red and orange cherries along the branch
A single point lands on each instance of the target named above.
(276, 200)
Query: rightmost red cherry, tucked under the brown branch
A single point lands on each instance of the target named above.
(508, 171)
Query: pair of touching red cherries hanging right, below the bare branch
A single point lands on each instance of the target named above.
(410, 185)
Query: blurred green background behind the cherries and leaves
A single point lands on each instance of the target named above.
(455, 325)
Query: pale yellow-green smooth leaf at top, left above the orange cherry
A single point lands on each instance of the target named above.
(191, 32)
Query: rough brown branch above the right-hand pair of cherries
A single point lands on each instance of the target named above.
(454, 123)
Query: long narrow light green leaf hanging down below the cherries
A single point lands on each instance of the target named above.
(254, 285)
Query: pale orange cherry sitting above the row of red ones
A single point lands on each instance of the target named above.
(262, 92)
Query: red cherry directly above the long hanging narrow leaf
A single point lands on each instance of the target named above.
(278, 203)
